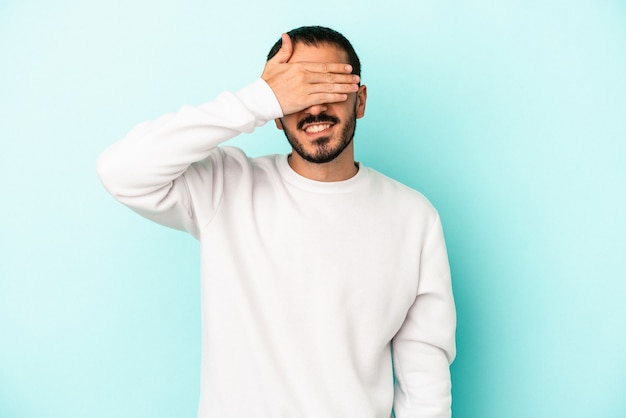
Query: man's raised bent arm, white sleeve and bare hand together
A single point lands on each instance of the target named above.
(146, 170)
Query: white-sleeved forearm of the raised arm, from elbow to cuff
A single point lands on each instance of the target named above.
(155, 153)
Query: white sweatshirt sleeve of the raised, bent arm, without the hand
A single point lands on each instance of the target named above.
(147, 169)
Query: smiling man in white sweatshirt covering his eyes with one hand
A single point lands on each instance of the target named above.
(325, 285)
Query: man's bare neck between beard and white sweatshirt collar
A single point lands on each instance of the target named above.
(341, 168)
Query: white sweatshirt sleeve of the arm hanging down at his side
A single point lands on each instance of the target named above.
(424, 347)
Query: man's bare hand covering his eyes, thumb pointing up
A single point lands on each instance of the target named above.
(300, 85)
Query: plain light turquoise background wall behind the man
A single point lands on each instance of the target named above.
(509, 115)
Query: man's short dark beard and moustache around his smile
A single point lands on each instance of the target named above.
(324, 152)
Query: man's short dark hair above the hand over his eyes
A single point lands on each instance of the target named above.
(316, 35)
